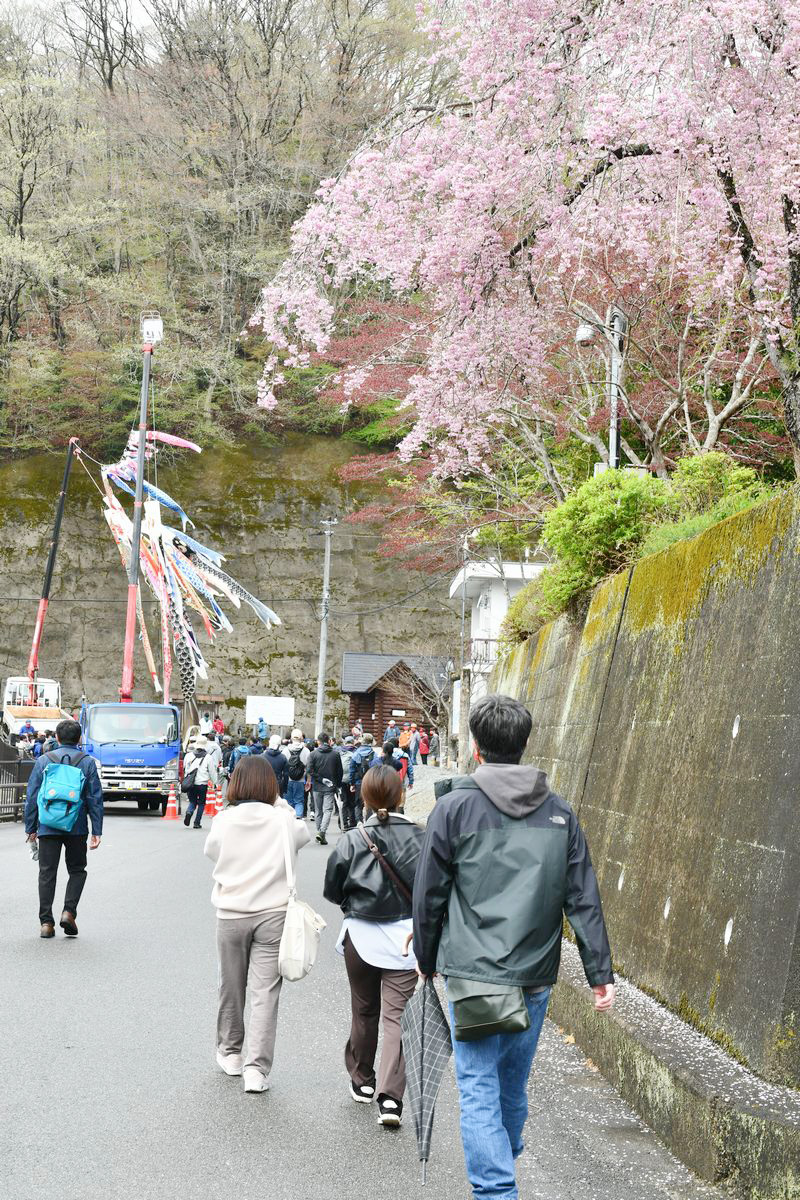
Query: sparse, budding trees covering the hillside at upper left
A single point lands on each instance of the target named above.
(160, 165)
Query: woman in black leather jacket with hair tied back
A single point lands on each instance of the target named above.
(374, 889)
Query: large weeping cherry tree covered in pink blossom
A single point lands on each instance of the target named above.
(659, 141)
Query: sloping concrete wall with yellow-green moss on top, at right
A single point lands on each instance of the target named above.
(672, 724)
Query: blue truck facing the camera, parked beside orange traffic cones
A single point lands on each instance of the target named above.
(137, 749)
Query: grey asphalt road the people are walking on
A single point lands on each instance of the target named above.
(110, 1090)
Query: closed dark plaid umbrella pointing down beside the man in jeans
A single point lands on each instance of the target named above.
(426, 1049)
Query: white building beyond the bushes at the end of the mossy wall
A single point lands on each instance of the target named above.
(488, 590)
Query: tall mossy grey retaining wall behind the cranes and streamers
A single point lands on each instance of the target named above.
(262, 509)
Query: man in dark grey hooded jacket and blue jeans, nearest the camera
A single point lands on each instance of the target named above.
(504, 861)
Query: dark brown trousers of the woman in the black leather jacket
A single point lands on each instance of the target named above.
(376, 993)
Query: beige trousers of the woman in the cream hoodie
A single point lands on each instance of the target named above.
(248, 949)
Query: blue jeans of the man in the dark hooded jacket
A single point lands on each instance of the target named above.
(492, 1076)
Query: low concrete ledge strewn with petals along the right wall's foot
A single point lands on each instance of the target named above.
(727, 1125)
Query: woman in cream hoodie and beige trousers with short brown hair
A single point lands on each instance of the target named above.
(251, 895)
